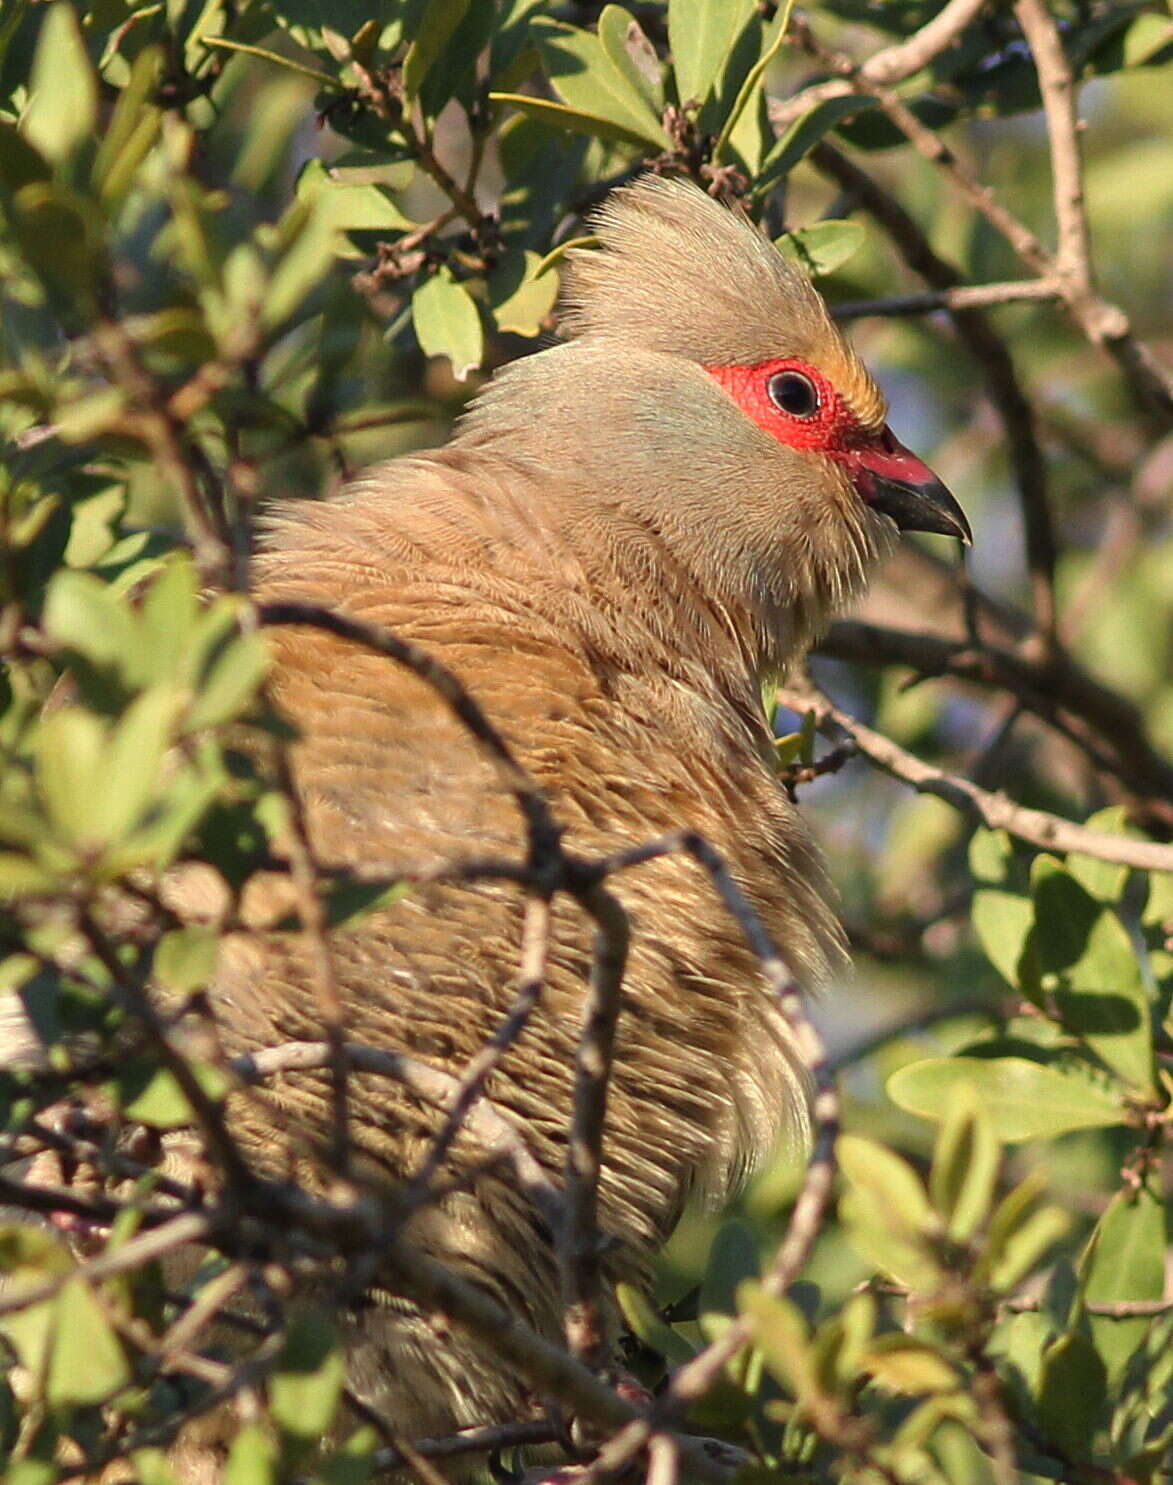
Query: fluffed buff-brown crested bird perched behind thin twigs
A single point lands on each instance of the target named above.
(629, 534)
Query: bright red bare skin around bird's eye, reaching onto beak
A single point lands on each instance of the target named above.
(832, 430)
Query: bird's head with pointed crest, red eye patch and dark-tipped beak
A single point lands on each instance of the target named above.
(708, 394)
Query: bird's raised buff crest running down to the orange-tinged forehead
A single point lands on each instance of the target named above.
(678, 274)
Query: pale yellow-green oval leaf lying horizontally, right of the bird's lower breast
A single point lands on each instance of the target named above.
(1024, 1100)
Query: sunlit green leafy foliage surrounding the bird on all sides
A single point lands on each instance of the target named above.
(244, 250)
